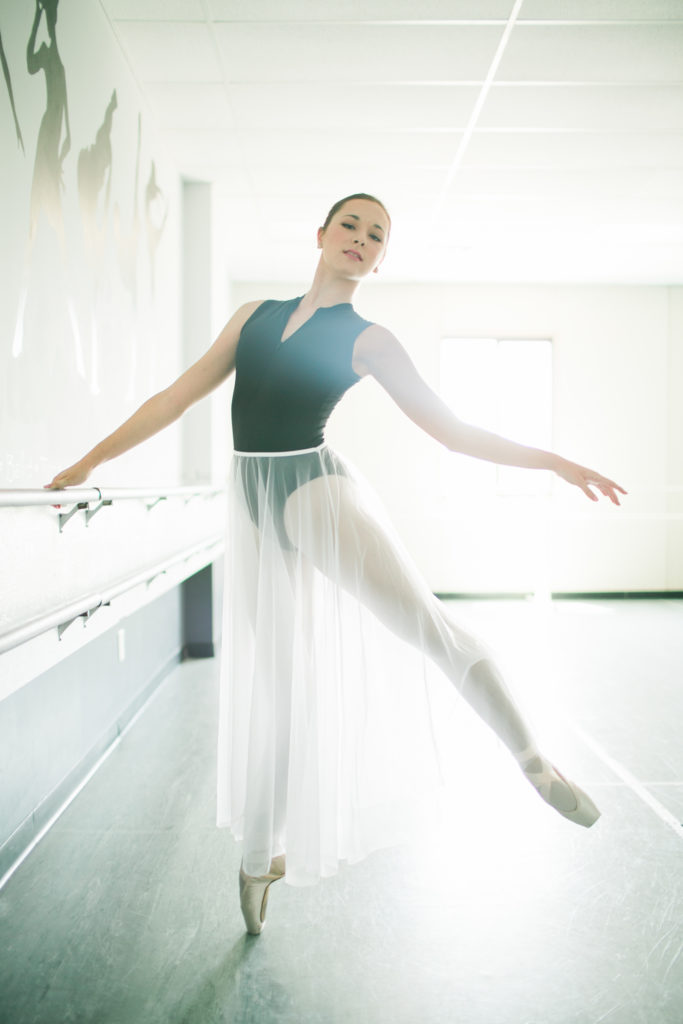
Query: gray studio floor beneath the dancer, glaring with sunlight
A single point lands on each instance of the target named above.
(127, 912)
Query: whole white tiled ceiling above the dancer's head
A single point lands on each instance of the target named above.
(510, 140)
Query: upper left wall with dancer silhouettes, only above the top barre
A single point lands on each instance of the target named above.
(94, 296)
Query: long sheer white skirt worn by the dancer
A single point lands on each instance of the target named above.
(333, 646)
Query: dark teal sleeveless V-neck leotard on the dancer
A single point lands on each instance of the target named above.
(284, 395)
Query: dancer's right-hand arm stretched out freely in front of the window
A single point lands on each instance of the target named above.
(379, 353)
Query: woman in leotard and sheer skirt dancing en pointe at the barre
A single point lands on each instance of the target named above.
(334, 648)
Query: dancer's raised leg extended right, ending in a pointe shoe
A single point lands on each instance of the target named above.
(369, 563)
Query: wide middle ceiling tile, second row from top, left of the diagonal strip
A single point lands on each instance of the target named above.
(319, 54)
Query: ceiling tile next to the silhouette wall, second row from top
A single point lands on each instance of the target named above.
(170, 52)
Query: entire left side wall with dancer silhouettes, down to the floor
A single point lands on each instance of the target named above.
(91, 304)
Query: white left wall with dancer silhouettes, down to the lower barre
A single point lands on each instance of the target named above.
(91, 303)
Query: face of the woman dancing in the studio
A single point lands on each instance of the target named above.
(356, 238)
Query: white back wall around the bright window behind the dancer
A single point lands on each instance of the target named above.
(618, 376)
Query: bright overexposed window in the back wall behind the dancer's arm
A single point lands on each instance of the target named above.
(505, 387)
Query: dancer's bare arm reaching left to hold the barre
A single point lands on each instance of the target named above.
(165, 407)
